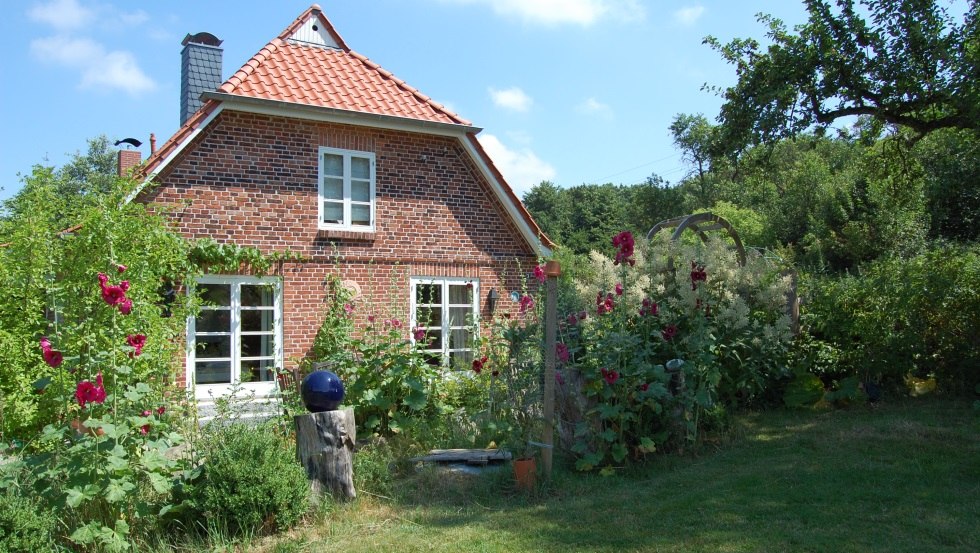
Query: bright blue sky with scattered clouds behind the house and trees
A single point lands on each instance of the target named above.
(572, 91)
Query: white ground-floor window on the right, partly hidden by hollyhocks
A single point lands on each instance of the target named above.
(448, 310)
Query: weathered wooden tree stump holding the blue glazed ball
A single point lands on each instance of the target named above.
(325, 447)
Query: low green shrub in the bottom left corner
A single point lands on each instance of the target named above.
(24, 524)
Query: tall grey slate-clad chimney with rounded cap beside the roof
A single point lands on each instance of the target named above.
(200, 71)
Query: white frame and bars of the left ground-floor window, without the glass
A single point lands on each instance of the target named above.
(260, 389)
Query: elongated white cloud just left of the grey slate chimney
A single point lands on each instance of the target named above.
(98, 68)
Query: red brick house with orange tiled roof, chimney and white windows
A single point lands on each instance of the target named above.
(311, 147)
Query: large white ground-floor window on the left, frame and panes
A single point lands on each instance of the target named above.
(236, 339)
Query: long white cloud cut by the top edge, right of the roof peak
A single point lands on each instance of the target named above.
(557, 12)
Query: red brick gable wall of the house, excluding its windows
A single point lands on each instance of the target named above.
(252, 179)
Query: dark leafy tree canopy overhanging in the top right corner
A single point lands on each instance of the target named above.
(900, 62)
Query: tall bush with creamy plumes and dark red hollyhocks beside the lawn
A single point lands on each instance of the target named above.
(665, 348)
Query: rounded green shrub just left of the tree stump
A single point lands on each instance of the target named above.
(250, 482)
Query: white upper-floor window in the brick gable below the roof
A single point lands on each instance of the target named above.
(346, 198)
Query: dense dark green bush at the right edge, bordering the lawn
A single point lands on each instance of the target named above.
(900, 316)
